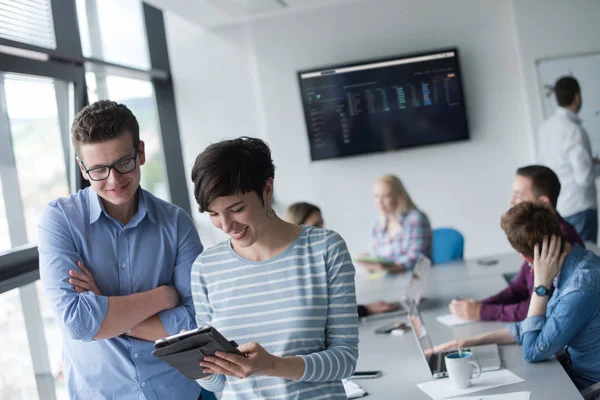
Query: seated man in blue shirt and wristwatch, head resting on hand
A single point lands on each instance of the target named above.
(568, 320)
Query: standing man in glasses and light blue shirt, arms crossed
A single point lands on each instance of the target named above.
(115, 263)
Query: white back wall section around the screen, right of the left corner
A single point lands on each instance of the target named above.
(465, 185)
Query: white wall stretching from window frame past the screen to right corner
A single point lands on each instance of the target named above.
(243, 81)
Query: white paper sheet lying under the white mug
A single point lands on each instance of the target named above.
(442, 388)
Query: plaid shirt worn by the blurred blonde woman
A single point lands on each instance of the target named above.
(404, 248)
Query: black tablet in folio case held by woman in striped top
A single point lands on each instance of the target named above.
(186, 350)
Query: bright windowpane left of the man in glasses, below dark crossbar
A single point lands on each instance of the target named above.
(36, 145)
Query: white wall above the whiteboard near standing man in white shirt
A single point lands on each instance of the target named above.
(549, 29)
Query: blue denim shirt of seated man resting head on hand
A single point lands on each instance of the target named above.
(572, 320)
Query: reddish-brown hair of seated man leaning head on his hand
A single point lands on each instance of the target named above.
(527, 223)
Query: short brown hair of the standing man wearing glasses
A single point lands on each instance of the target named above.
(101, 121)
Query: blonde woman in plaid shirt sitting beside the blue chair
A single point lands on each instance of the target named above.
(401, 232)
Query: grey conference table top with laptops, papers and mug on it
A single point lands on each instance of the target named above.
(399, 357)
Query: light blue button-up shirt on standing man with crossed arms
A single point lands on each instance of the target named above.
(157, 247)
